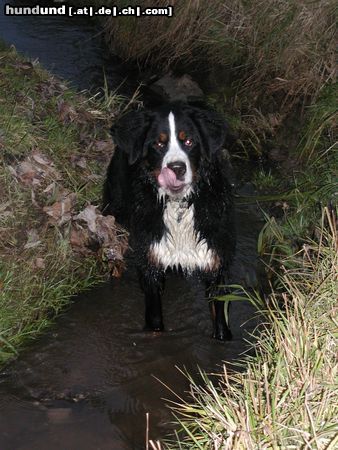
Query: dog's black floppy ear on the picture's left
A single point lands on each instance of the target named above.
(129, 133)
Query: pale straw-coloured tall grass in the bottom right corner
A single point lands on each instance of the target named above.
(288, 395)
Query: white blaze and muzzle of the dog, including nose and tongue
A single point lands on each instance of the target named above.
(176, 173)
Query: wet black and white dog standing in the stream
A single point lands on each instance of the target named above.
(167, 184)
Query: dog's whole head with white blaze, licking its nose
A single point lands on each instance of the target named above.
(171, 143)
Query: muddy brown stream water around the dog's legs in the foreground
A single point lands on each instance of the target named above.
(89, 381)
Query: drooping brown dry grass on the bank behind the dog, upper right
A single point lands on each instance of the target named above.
(269, 60)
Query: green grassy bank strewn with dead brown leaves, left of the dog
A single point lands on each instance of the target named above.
(54, 148)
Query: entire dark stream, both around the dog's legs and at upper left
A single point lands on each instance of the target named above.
(88, 382)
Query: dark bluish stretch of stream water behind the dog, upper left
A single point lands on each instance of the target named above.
(71, 48)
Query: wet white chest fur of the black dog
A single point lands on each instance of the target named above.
(181, 246)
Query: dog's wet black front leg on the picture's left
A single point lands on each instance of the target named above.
(152, 282)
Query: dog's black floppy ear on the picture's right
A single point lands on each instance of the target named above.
(212, 129)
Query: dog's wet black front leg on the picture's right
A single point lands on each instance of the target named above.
(218, 308)
